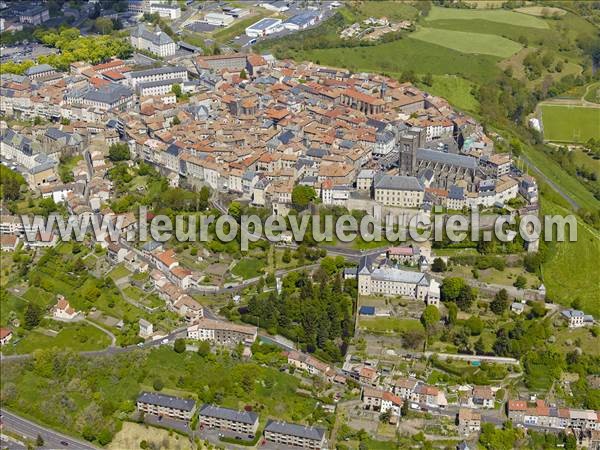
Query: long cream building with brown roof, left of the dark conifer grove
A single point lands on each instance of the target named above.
(222, 333)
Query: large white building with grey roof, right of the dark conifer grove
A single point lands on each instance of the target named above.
(387, 280)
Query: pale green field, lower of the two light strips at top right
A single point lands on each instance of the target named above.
(465, 42)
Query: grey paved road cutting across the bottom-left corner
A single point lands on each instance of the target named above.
(30, 430)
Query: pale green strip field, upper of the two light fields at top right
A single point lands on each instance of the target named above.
(501, 16)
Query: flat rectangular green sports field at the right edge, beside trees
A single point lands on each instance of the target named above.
(563, 123)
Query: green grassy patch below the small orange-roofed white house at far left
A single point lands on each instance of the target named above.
(77, 337)
